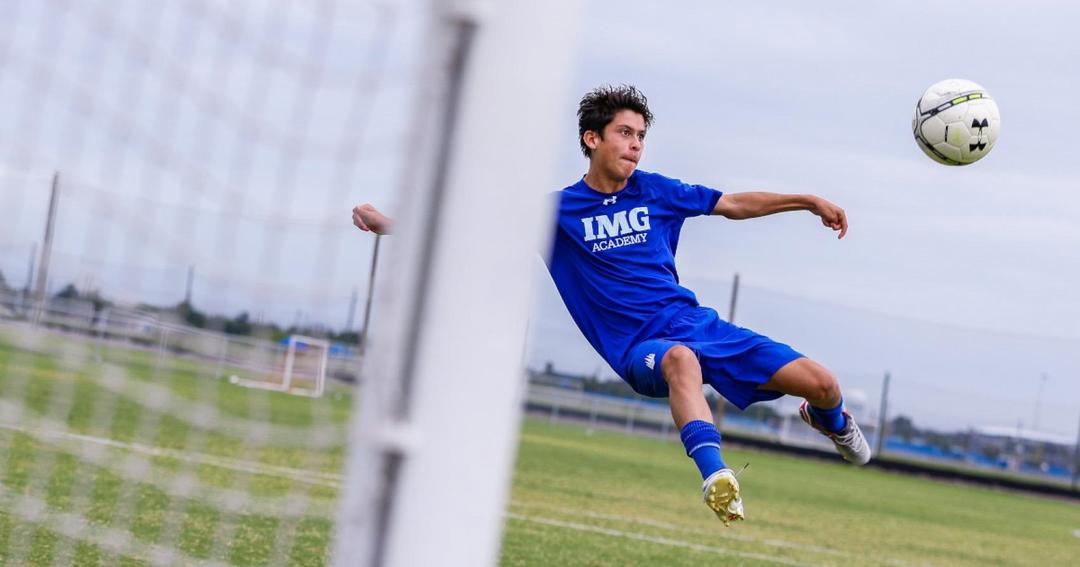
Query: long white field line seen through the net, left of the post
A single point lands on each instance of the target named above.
(315, 478)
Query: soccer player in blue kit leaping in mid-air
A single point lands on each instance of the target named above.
(613, 261)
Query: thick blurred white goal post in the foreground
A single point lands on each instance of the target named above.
(423, 469)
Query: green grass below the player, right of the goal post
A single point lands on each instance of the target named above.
(571, 485)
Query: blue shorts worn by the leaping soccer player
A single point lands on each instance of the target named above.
(734, 360)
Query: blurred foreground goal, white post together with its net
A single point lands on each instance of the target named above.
(177, 181)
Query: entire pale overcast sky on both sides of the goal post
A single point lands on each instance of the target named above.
(234, 138)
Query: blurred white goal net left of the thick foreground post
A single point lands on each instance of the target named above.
(202, 157)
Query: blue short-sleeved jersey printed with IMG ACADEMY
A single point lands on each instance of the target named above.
(614, 259)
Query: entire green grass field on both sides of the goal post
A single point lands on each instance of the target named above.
(115, 457)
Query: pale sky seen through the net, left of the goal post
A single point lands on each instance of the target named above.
(229, 138)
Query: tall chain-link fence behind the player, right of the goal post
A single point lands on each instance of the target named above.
(981, 400)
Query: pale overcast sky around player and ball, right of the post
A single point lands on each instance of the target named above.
(963, 282)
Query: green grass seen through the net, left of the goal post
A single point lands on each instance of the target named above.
(74, 396)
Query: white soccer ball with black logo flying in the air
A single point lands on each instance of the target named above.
(956, 123)
